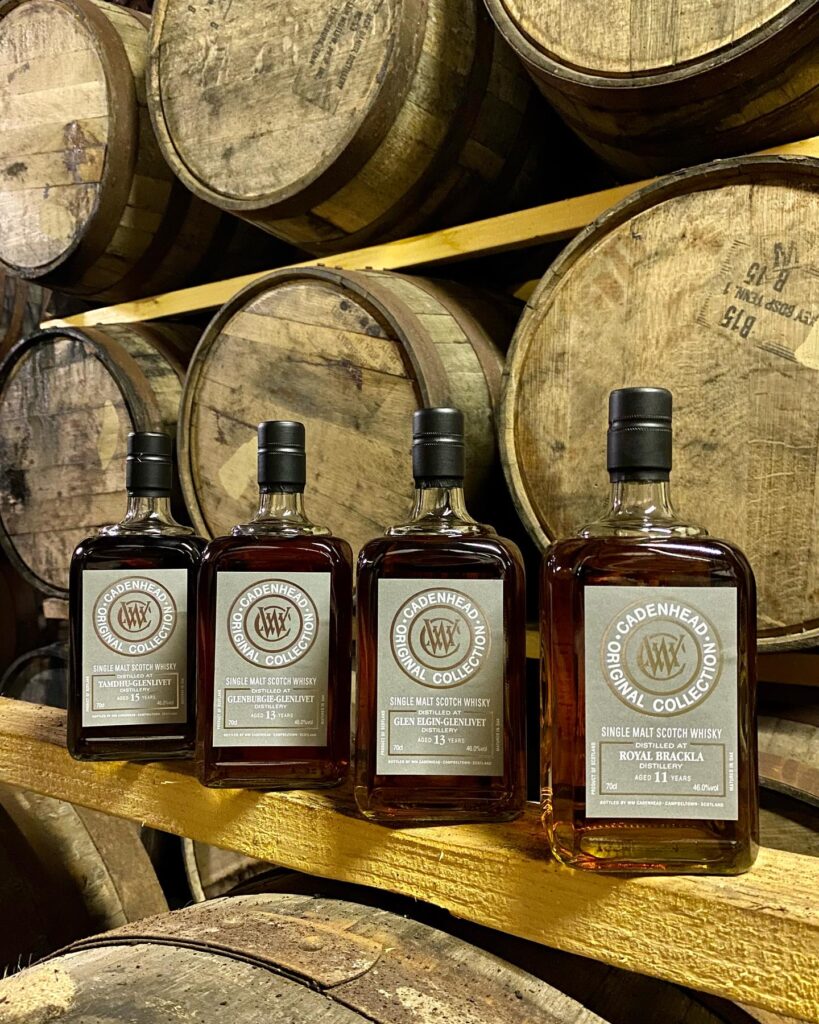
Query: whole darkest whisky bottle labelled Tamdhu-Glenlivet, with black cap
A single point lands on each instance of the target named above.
(133, 589)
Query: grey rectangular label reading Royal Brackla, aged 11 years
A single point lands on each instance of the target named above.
(662, 730)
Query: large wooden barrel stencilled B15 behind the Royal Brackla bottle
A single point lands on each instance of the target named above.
(707, 283)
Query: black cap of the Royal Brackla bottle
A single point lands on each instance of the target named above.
(640, 434)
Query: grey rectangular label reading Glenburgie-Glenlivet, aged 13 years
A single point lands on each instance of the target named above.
(272, 660)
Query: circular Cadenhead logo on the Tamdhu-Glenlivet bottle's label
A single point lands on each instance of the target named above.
(135, 617)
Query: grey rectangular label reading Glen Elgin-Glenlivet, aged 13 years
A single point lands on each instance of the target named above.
(441, 677)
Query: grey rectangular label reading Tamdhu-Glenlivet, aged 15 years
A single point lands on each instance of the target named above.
(135, 661)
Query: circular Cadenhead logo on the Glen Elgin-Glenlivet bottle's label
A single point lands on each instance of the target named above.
(441, 637)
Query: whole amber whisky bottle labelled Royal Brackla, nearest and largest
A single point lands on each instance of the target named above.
(649, 636)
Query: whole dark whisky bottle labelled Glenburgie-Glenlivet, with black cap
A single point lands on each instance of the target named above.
(275, 638)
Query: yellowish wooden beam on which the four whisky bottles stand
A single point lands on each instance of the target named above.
(754, 938)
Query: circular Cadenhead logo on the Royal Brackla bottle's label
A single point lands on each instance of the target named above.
(662, 658)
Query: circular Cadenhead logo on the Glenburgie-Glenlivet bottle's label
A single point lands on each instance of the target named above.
(274, 624)
